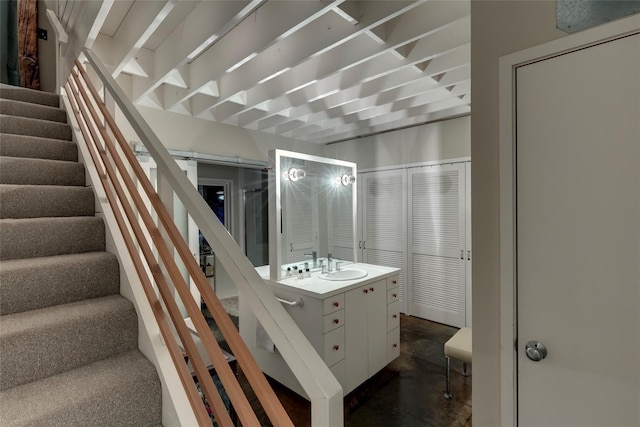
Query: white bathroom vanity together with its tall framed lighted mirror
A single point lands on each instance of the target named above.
(349, 311)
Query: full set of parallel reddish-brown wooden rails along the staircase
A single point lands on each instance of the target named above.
(271, 404)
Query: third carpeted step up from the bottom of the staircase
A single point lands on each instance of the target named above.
(34, 283)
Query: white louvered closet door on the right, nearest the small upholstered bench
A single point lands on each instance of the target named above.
(437, 258)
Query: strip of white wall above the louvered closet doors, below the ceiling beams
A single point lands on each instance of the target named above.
(447, 139)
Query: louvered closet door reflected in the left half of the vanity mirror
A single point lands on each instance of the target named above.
(300, 219)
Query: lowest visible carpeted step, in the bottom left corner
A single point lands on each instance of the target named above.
(120, 391)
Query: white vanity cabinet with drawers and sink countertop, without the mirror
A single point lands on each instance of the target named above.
(353, 324)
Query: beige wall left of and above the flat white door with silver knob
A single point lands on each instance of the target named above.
(497, 28)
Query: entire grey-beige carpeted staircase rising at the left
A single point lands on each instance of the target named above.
(68, 340)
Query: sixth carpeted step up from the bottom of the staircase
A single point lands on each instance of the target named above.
(24, 171)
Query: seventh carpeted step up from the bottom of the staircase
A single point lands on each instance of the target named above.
(35, 147)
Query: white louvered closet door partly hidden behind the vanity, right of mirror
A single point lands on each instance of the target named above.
(383, 204)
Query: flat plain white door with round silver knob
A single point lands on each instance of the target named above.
(578, 236)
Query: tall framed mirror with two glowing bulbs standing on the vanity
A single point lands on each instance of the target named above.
(312, 212)
